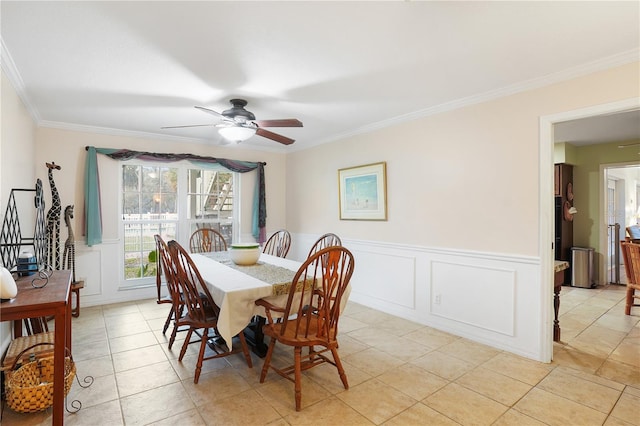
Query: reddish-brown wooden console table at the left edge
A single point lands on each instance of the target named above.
(52, 300)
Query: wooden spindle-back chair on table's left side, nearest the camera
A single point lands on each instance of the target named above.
(202, 311)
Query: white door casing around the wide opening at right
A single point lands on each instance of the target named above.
(546, 213)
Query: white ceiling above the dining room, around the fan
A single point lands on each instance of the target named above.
(342, 68)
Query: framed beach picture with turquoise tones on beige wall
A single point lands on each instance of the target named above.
(363, 192)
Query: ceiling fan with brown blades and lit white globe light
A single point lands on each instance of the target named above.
(238, 124)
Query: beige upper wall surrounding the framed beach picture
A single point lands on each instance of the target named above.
(464, 179)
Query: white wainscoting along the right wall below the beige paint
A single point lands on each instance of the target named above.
(490, 298)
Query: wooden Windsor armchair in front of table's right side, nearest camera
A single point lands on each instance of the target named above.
(310, 317)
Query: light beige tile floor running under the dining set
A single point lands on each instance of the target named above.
(400, 373)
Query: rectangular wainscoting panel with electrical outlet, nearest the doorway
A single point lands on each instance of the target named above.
(474, 295)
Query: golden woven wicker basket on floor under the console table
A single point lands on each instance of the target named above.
(29, 389)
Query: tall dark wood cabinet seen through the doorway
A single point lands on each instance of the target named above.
(563, 227)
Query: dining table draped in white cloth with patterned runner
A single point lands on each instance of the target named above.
(235, 288)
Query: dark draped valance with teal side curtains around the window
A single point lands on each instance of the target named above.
(92, 210)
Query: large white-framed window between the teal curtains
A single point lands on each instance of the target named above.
(172, 201)
